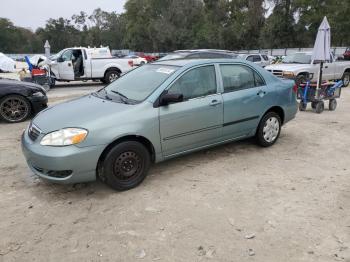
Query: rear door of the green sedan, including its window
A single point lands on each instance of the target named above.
(246, 97)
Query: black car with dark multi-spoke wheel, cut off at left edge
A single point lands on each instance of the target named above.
(20, 100)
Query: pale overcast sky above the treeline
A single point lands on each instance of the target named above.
(34, 13)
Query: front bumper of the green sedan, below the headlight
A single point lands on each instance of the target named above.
(77, 164)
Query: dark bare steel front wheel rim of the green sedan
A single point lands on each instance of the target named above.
(128, 165)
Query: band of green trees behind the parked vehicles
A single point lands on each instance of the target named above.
(166, 25)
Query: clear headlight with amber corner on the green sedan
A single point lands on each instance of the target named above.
(64, 137)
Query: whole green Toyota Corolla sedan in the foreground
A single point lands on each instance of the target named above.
(153, 113)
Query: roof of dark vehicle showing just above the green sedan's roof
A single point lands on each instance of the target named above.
(199, 54)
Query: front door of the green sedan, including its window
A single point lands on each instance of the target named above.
(197, 121)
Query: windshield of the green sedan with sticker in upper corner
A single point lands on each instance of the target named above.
(138, 84)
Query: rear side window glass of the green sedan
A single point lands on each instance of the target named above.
(238, 77)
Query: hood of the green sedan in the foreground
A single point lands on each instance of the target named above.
(84, 112)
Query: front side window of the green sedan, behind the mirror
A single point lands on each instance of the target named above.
(198, 82)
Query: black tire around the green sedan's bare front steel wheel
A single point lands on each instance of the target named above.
(108, 165)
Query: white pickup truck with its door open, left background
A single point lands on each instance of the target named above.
(80, 63)
